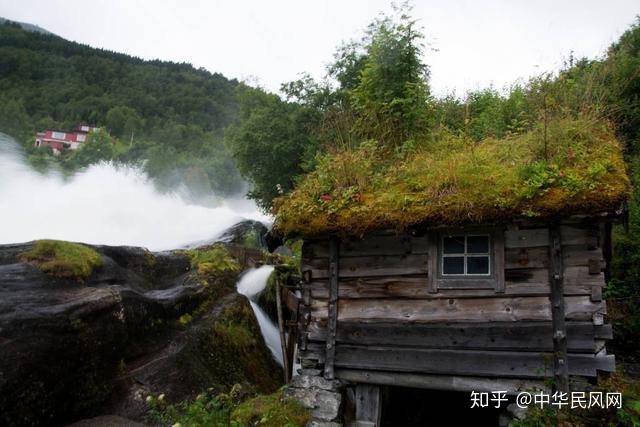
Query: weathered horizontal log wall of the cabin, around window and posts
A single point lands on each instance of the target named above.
(389, 320)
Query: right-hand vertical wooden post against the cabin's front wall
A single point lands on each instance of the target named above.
(560, 362)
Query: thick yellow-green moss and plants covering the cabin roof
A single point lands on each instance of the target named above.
(451, 180)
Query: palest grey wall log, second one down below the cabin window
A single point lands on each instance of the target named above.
(500, 309)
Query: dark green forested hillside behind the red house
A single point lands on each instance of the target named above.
(169, 115)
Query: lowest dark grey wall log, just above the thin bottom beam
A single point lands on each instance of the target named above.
(507, 364)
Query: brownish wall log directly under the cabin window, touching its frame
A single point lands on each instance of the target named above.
(416, 287)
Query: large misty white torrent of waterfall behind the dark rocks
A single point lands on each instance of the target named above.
(103, 204)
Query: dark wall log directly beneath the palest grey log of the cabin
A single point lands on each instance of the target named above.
(524, 336)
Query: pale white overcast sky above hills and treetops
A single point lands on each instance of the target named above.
(478, 43)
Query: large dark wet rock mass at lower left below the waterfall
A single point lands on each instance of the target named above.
(141, 323)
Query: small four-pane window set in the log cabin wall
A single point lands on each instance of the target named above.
(465, 255)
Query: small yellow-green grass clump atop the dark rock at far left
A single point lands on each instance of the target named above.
(63, 259)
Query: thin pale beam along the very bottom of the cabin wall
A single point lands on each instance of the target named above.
(439, 382)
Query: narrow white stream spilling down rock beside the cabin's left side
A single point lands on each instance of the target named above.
(251, 283)
